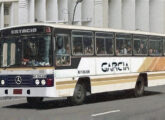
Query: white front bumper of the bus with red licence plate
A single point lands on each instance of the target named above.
(29, 92)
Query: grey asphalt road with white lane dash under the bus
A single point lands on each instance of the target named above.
(108, 106)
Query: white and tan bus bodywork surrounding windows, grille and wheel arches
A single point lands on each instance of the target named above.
(106, 73)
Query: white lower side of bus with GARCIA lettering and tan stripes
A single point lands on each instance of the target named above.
(122, 76)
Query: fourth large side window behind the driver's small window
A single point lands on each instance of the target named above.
(140, 45)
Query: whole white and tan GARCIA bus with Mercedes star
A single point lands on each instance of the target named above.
(54, 60)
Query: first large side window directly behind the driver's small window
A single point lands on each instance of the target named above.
(82, 42)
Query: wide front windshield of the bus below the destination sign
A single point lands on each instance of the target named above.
(25, 51)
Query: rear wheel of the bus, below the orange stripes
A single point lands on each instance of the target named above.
(139, 88)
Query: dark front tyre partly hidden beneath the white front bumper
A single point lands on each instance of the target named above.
(34, 100)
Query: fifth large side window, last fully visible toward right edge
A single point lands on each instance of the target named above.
(155, 46)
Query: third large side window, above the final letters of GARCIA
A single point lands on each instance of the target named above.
(123, 44)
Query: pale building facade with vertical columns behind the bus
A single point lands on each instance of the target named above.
(142, 15)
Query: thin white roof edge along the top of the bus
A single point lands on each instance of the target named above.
(78, 27)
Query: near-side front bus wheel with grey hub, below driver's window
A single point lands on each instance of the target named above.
(79, 95)
